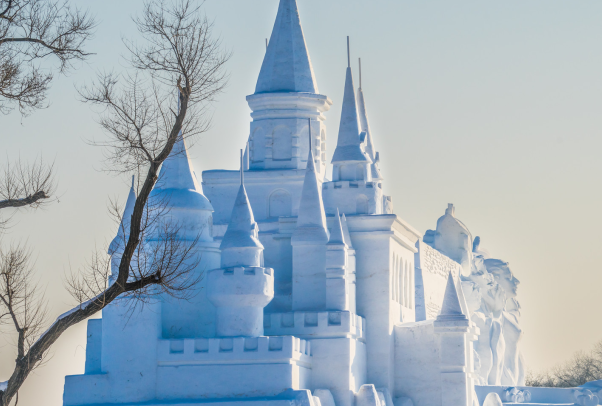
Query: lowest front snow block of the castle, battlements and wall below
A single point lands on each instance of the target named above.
(242, 367)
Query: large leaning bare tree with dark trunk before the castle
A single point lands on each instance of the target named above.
(142, 124)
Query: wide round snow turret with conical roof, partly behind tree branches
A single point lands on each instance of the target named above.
(179, 199)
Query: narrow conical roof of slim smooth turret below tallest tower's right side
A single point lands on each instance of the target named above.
(311, 222)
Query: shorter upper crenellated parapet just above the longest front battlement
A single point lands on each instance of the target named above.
(334, 324)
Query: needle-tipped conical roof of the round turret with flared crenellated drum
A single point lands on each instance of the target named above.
(241, 245)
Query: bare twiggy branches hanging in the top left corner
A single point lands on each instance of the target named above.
(32, 31)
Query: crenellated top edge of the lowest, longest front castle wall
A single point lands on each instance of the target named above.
(237, 350)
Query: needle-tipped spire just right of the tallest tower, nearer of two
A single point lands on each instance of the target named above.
(348, 144)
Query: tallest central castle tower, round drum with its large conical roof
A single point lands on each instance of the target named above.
(287, 95)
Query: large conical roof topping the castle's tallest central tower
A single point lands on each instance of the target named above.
(287, 66)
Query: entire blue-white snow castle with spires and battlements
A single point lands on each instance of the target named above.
(313, 291)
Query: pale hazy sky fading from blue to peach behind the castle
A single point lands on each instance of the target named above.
(493, 106)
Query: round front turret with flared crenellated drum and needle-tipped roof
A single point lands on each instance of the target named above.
(241, 288)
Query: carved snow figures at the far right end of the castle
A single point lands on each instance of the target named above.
(490, 290)
